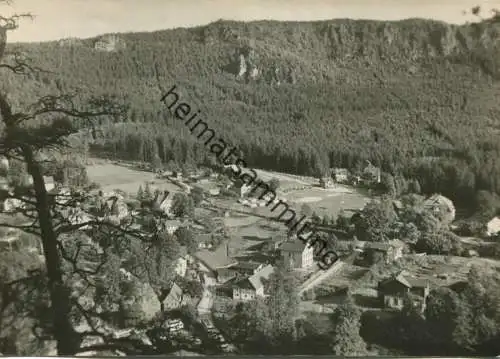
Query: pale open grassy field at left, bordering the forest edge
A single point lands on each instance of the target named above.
(113, 176)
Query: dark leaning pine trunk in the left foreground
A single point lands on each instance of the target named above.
(68, 340)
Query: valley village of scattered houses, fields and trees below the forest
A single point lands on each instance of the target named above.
(229, 245)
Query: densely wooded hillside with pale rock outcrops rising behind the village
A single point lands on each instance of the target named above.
(419, 97)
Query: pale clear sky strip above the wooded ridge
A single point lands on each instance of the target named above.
(56, 19)
